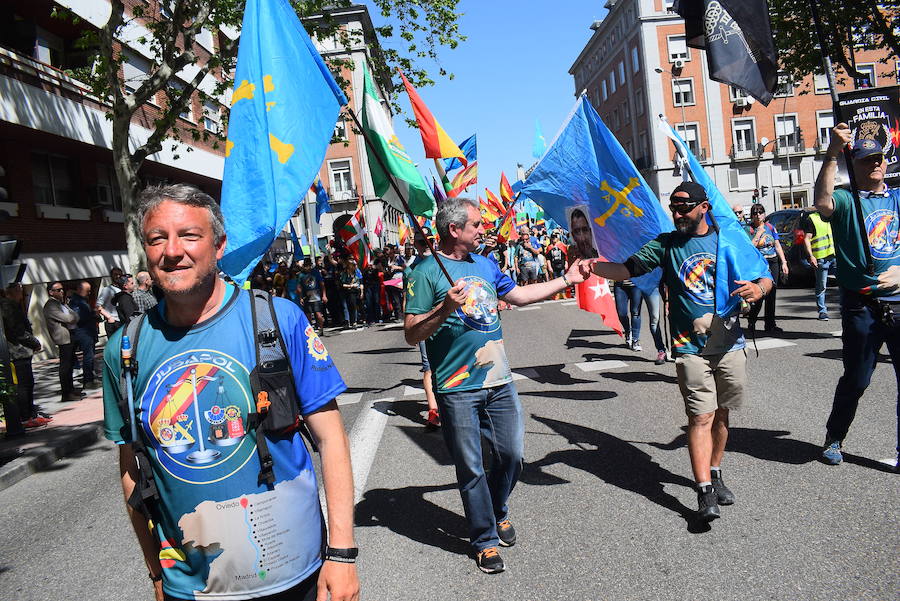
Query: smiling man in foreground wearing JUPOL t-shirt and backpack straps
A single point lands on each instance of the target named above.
(217, 531)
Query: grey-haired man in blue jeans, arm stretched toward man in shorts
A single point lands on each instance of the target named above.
(460, 325)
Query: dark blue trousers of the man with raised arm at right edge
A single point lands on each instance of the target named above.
(863, 336)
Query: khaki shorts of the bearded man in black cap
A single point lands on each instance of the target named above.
(710, 382)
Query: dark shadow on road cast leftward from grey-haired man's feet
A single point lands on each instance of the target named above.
(408, 513)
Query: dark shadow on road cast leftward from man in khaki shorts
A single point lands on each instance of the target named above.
(614, 461)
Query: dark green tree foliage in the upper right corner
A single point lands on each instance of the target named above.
(860, 24)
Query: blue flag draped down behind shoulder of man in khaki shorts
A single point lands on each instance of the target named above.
(736, 257)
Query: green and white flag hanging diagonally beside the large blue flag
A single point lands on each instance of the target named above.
(381, 134)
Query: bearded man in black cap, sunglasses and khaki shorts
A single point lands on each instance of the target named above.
(710, 357)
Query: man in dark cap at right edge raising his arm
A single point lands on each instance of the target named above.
(870, 303)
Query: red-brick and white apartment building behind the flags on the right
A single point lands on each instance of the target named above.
(636, 66)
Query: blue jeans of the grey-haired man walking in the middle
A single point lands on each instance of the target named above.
(496, 414)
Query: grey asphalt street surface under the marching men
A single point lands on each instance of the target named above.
(604, 508)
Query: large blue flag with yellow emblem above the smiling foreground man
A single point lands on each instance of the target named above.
(283, 111)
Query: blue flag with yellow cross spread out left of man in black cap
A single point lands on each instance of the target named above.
(586, 166)
